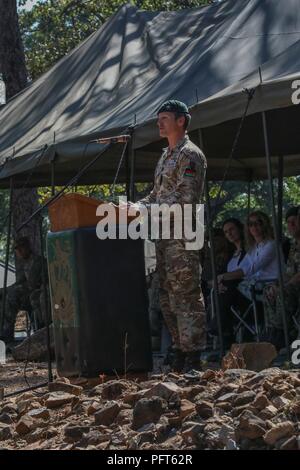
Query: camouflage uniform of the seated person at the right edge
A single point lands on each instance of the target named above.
(272, 306)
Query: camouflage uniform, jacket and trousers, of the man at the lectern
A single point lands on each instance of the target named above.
(179, 179)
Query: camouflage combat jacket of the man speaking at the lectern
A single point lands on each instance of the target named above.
(179, 175)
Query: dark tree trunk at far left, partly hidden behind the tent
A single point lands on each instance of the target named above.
(13, 68)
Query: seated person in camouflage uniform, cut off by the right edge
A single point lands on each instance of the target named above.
(271, 297)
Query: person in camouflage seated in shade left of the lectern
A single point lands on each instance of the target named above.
(26, 293)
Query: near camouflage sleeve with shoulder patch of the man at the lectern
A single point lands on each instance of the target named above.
(189, 180)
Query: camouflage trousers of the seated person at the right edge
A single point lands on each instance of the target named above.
(273, 306)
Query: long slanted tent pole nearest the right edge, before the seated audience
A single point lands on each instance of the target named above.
(277, 239)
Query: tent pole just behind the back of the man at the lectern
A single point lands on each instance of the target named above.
(213, 254)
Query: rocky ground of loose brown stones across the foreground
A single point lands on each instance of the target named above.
(214, 409)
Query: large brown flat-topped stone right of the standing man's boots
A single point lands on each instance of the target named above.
(253, 356)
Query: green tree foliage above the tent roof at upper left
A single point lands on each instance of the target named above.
(52, 28)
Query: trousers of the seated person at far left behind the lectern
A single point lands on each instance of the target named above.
(18, 297)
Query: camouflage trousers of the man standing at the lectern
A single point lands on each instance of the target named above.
(181, 298)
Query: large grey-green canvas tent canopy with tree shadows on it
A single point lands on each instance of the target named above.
(120, 75)
